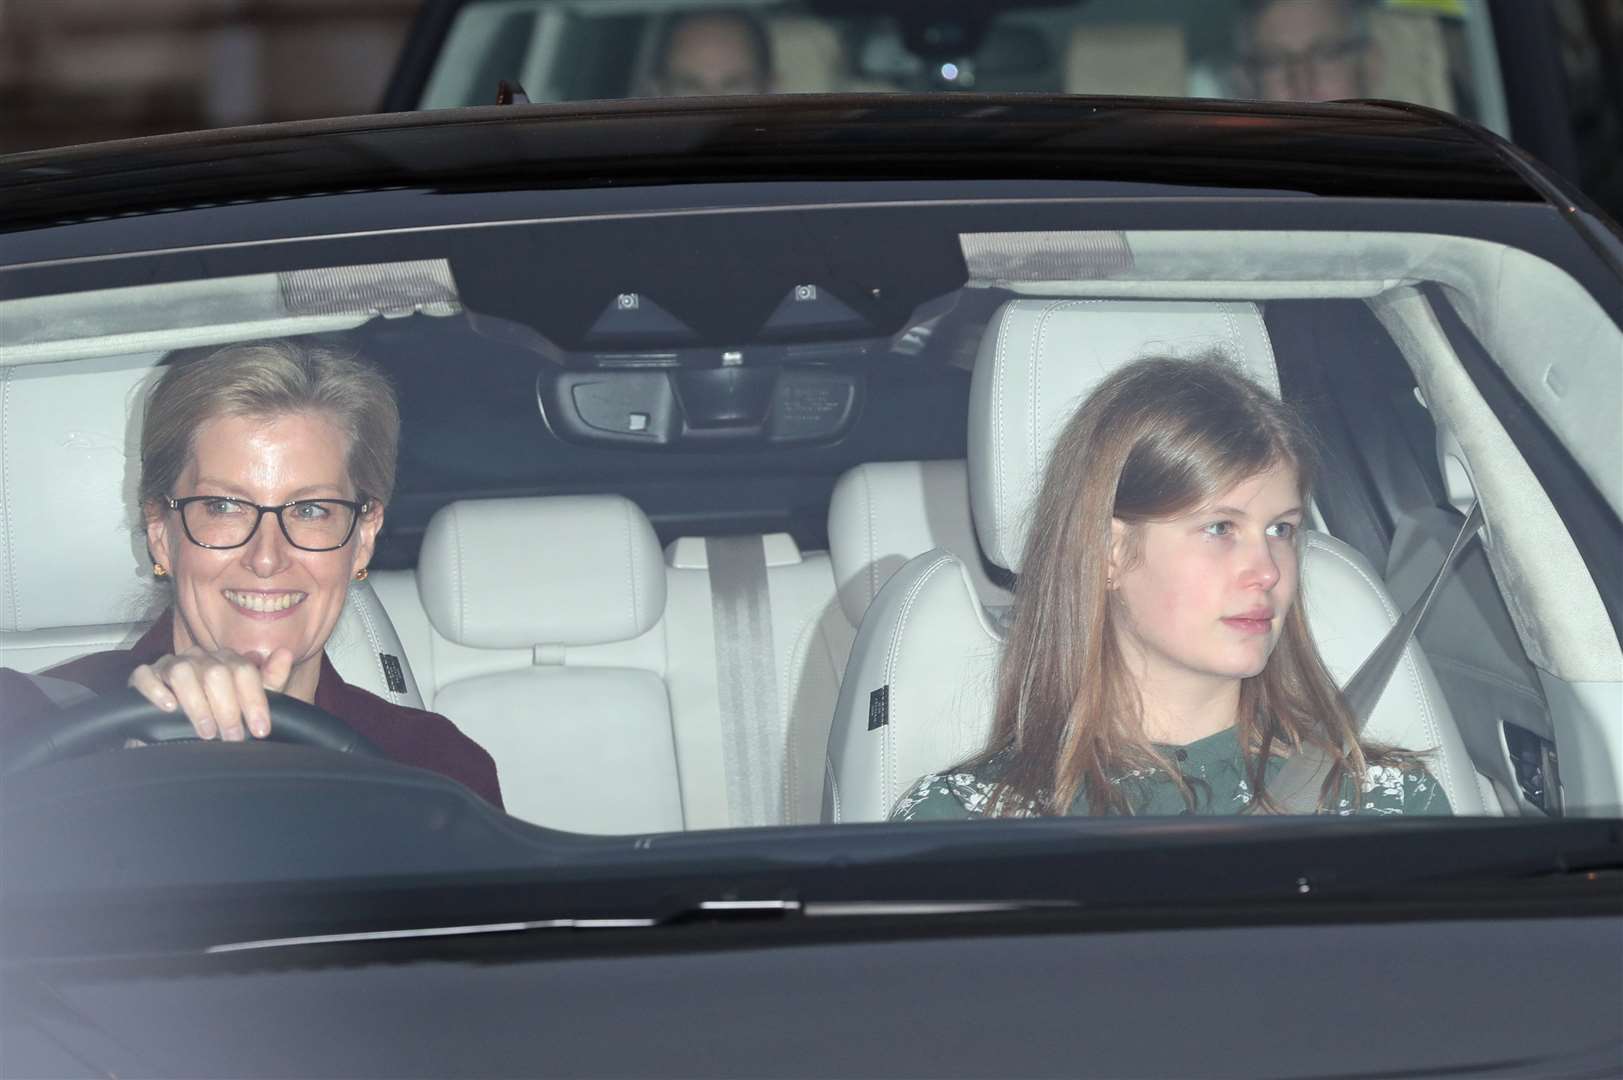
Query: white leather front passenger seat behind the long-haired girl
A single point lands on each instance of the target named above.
(919, 689)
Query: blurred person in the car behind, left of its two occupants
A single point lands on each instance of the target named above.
(712, 54)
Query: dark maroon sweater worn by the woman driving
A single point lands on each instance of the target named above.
(410, 737)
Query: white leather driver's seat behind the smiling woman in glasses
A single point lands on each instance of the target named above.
(74, 569)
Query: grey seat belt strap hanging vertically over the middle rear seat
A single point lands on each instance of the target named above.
(746, 680)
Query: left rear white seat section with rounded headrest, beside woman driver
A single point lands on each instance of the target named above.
(520, 585)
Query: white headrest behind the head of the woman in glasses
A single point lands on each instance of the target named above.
(72, 551)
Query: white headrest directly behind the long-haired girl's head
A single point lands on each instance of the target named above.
(1040, 361)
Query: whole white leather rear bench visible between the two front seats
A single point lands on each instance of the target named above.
(592, 665)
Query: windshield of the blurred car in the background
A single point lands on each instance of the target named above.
(1432, 54)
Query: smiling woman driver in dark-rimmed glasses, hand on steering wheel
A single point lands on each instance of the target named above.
(308, 438)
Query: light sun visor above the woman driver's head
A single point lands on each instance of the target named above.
(189, 314)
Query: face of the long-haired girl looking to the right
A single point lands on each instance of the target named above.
(1208, 592)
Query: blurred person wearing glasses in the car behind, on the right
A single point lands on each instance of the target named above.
(1306, 50)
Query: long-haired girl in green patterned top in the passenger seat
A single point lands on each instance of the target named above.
(1158, 660)
